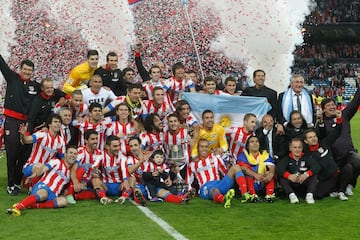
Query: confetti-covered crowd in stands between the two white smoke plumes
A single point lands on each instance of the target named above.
(174, 42)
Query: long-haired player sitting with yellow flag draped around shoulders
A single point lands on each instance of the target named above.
(259, 170)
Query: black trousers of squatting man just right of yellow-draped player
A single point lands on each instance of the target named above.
(308, 186)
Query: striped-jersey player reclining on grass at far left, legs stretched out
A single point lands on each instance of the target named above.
(45, 193)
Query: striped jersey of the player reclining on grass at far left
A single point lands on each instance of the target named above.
(57, 176)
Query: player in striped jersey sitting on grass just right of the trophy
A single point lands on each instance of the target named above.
(207, 169)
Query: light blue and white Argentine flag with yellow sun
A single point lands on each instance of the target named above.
(229, 110)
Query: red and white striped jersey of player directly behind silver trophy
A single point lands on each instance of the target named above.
(177, 148)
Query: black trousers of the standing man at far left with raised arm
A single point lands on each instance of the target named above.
(16, 153)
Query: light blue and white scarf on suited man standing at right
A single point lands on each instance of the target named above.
(287, 105)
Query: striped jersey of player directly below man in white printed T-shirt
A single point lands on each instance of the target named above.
(99, 127)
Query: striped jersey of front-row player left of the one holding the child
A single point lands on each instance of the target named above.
(114, 168)
